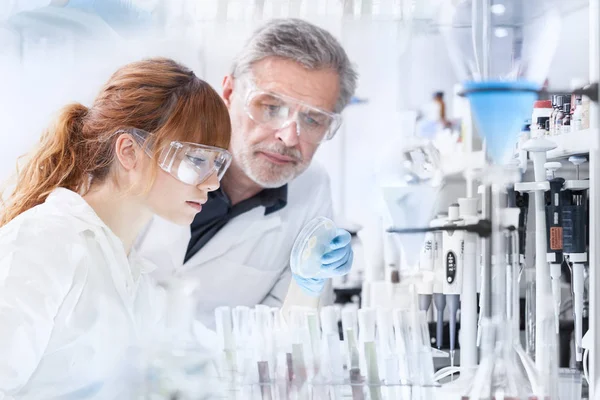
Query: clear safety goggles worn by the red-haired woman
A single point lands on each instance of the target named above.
(189, 163)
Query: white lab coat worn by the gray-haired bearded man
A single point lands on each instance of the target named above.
(247, 261)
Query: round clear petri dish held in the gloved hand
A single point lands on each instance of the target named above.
(312, 242)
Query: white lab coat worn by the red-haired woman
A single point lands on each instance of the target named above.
(72, 304)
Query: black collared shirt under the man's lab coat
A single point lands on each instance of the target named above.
(217, 211)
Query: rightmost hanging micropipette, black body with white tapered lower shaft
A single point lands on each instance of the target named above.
(574, 243)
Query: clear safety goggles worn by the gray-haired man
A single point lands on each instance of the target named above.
(277, 111)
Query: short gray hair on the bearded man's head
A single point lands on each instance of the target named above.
(302, 42)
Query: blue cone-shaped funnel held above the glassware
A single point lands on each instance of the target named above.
(499, 109)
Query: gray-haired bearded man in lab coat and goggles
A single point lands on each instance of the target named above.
(285, 93)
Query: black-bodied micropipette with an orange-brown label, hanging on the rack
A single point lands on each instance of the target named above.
(554, 236)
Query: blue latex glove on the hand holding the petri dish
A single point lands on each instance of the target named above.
(337, 261)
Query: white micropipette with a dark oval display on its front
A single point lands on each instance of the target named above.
(453, 249)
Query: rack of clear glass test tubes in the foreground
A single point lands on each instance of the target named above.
(380, 354)
